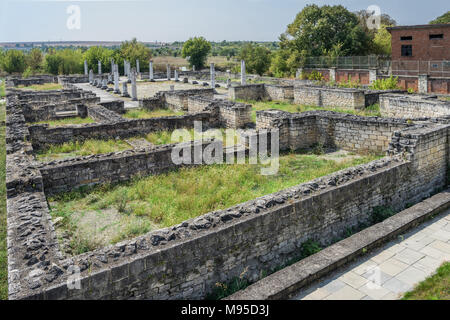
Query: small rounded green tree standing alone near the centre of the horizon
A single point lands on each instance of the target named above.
(257, 58)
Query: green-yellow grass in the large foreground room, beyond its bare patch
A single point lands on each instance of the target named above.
(168, 199)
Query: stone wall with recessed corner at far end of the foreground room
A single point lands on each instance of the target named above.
(330, 129)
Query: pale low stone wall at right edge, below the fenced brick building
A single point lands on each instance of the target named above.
(412, 106)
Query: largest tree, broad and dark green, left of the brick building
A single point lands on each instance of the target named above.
(317, 31)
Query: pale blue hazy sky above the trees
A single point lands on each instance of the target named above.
(178, 20)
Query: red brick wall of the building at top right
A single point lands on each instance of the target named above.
(423, 48)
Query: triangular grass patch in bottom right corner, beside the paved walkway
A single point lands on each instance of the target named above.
(436, 287)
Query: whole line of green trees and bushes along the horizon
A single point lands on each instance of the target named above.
(331, 31)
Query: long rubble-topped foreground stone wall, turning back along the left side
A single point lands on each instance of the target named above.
(186, 261)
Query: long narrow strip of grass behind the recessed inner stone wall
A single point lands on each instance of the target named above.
(371, 111)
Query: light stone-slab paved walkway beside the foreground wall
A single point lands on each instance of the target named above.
(390, 271)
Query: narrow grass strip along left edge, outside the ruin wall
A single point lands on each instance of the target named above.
(3, 251)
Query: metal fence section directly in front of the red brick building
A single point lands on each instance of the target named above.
(415, 67)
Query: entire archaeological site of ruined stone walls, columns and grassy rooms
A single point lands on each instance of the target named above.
(397, 160)
